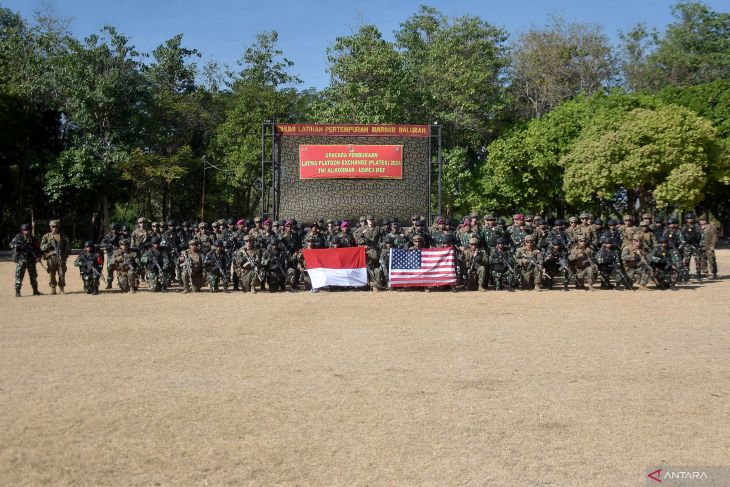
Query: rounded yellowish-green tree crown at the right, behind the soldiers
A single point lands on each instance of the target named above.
(666, 154)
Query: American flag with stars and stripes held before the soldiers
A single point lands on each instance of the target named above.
(425, 267)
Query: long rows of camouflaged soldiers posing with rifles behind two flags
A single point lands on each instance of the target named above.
(264, 254)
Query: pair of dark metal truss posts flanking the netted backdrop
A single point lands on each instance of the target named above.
(271, 156)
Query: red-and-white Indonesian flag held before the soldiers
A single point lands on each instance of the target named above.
(336, 267)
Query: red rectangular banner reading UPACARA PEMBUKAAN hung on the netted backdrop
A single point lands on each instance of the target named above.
(351, 161)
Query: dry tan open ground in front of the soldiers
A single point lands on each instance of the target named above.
(362, 388)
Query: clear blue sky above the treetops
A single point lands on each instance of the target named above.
(221, 29)
